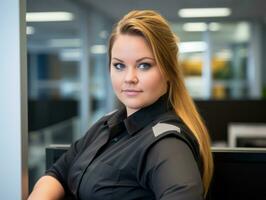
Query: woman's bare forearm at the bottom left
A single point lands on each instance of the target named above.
(47, 188)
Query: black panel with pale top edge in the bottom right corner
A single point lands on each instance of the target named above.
(239, 174)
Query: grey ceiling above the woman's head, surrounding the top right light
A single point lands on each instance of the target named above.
(241, 9)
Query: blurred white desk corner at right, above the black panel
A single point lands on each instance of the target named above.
(247, 135)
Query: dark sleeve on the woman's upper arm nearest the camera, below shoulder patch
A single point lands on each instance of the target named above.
(171, 171)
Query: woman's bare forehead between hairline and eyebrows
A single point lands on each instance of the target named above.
(131, 46)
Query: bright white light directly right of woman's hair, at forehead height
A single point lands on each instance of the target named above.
(195, 46)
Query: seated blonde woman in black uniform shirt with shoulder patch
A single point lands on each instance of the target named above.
(156, 146)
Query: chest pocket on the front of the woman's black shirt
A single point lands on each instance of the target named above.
(99, 181)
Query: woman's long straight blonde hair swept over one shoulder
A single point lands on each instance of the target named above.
(163, 43)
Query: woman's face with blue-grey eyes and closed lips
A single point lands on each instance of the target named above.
(136, 78)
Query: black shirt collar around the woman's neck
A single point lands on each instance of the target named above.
(140, 118)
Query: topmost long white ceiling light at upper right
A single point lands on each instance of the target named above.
(204, 12)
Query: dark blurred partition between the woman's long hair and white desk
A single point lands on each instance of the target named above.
(217, 114)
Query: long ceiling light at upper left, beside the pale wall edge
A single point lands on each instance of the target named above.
(49, 16)
